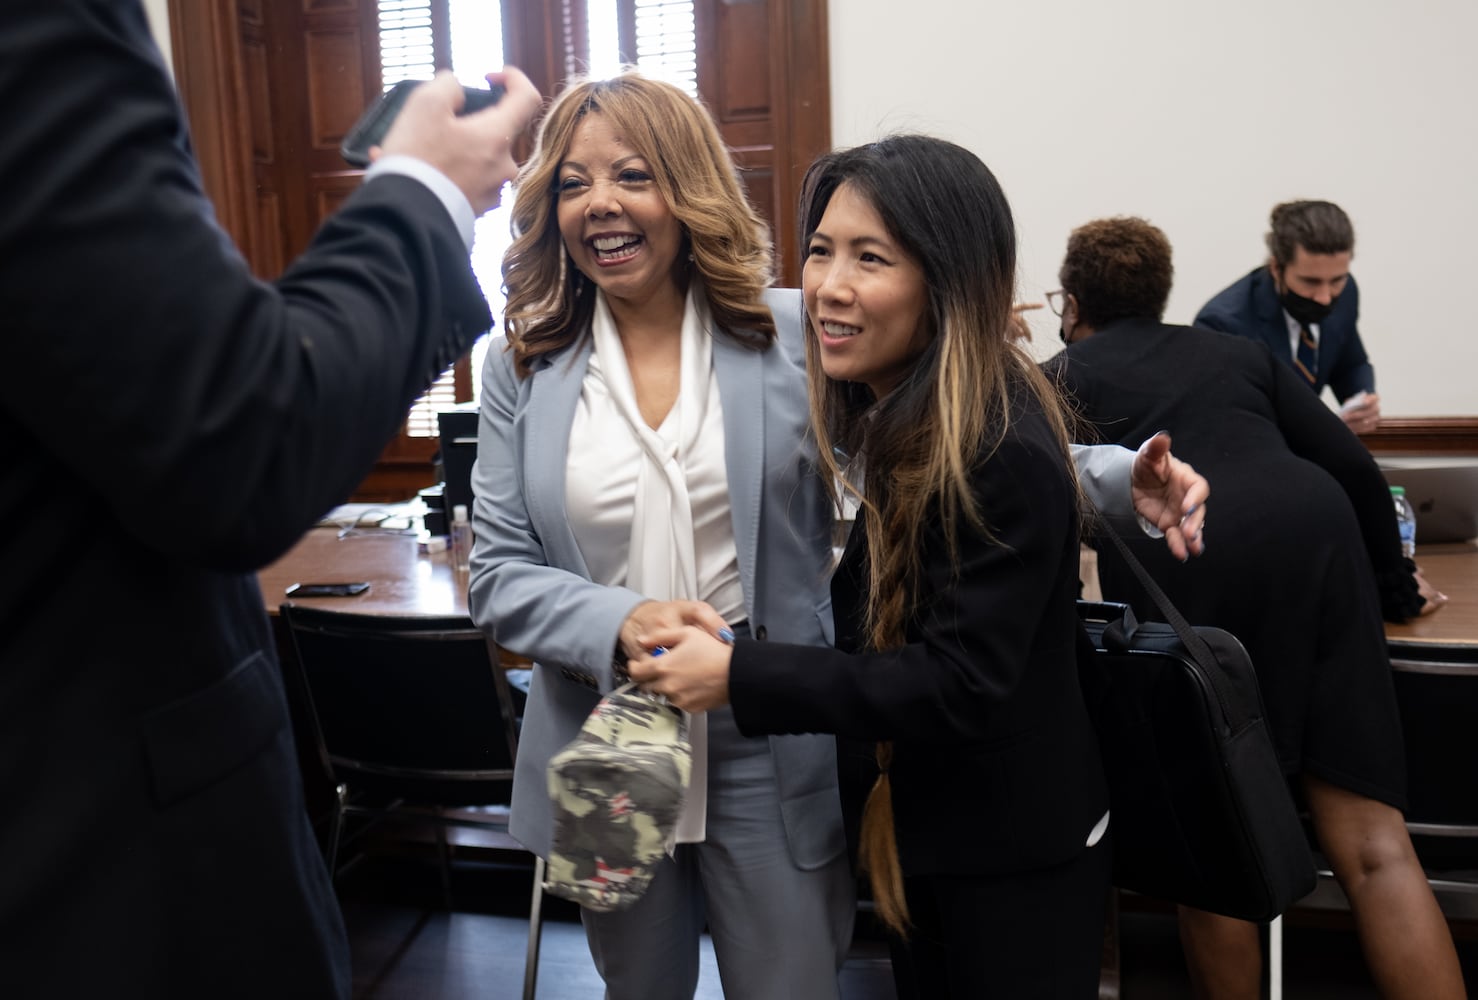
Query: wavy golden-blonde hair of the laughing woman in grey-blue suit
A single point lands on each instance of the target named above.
(549, 304)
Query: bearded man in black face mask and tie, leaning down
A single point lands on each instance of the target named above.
(1304, 306)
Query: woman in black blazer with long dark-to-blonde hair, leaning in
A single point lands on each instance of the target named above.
(985, 835)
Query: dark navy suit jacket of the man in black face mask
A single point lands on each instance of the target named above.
(1251, 308)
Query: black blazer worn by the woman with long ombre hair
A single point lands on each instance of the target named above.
(995, 761)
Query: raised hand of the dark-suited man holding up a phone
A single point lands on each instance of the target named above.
(474, 151)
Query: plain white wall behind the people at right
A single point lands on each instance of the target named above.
(1201, 117)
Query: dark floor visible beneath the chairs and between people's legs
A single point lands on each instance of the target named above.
(407, 946)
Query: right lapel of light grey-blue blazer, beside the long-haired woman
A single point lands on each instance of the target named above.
(741, 388)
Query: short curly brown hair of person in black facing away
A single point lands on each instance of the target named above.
(1118, 270)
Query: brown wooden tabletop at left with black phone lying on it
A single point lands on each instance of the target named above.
(403, 580)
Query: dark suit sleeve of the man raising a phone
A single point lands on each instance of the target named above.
(141, 352)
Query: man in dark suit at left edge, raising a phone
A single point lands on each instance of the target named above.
(171, 426)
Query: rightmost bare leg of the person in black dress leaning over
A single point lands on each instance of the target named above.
(1402, 930)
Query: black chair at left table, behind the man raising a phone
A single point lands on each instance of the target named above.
(416, 719)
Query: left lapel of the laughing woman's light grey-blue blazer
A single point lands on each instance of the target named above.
(551, 416)
